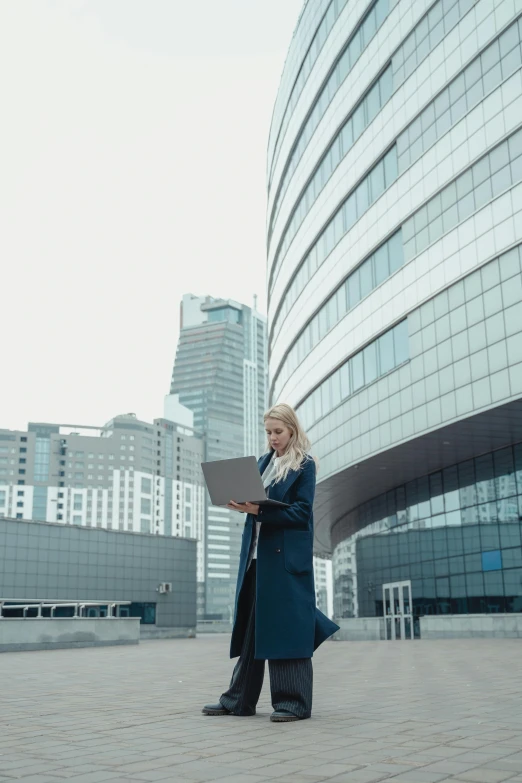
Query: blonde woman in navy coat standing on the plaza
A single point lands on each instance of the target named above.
(275, 616)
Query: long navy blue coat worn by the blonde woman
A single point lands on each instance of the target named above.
(288, 624)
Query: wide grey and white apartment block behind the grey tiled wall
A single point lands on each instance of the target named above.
(127, 475)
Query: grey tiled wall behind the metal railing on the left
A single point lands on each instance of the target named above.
(39, 560)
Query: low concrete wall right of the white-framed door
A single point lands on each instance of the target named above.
(465, 626)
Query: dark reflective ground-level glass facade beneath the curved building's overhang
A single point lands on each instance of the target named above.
(456, 534)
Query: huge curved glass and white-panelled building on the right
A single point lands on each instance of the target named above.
(395, 294)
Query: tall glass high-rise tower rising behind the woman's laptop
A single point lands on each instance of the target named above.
(220, 374)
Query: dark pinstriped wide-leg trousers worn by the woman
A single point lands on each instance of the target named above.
(291, 680)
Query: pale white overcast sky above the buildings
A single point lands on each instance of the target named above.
(132, 171)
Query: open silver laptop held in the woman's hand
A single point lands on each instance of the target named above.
(236, 479)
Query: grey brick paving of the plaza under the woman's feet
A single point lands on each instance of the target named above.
(422, 712)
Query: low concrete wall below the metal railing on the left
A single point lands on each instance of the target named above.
(19, 634)
